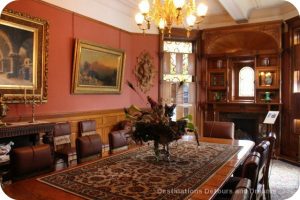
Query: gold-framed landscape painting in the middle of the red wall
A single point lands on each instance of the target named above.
(97, 69)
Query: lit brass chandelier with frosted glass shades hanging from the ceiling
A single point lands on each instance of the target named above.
(167, 13)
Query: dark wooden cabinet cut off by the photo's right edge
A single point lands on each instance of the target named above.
(292, 95)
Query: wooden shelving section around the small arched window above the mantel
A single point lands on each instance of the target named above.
(222, 78)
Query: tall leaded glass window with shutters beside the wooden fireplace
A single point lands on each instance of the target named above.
(179, 66)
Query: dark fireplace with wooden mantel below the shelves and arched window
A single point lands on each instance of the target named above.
(248, 118)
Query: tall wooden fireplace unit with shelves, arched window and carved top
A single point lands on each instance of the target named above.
(254, 49)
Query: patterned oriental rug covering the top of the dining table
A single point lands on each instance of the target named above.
(137, 175)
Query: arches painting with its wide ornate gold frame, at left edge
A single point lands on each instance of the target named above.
(23, 57)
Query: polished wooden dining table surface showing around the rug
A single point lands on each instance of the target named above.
(35, 190)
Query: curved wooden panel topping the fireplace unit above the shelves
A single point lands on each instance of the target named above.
(243, 39)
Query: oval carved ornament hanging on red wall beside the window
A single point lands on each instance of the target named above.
(144, 71)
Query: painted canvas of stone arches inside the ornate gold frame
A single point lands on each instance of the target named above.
(16, 55)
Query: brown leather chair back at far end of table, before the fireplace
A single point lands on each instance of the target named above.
(218, 129)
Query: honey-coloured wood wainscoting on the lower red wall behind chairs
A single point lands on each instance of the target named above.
(105, 120)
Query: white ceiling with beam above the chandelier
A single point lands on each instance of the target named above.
(120, 13)
